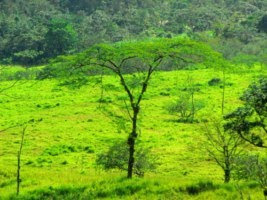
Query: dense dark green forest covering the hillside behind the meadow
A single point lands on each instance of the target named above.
(33, 31)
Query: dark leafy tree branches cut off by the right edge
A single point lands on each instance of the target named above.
(249, 121)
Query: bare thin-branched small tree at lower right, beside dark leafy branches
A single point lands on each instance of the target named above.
(222, 147)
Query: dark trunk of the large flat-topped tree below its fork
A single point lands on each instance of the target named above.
(131, 142)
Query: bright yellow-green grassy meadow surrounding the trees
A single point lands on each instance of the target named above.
(69, 125)
